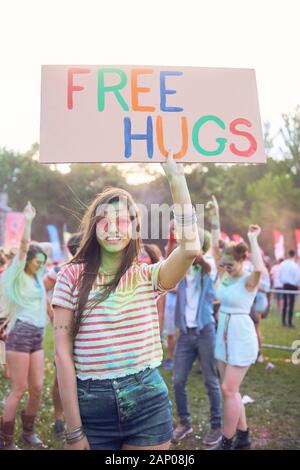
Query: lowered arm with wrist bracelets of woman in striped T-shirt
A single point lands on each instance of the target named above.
(63, 340)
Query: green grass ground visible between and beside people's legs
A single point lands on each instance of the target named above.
(274, 417)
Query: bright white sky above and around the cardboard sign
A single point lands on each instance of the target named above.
(261, 34)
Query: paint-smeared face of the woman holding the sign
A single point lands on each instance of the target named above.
(113, 227)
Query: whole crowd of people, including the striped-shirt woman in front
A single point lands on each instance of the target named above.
(111, 305)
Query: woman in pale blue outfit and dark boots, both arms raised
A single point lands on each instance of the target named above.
(236, 343)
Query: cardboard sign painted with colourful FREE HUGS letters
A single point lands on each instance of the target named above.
(135, 114)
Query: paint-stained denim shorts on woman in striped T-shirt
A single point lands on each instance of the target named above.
(133, 410)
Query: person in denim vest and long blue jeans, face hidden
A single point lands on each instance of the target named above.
(196, 340)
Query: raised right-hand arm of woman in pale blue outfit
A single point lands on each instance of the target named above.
(256, 257)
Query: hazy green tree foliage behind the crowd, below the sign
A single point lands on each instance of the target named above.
(265, 194)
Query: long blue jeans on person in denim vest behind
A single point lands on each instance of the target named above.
(189, 346)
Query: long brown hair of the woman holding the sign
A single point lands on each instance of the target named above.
(89, 252)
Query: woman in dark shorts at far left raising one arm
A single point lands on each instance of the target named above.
(25, 304)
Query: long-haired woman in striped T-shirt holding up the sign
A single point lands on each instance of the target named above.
(106, 325)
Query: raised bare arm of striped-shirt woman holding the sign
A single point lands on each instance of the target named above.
(174, 268)
